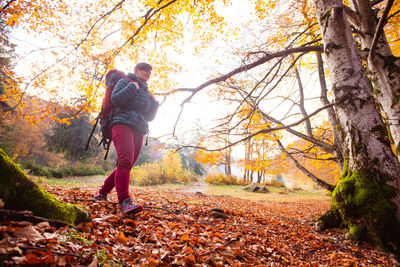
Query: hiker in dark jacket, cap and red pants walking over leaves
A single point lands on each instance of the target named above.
(134, 106)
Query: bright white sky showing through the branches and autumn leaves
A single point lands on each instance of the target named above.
(200, 112)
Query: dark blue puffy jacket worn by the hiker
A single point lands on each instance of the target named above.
(131, 106)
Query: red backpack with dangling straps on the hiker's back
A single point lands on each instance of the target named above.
(106, 114)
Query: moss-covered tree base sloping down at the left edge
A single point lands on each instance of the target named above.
(20, 193)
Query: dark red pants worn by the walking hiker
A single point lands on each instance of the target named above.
(128, 144)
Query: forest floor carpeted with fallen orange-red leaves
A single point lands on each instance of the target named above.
(179, 228)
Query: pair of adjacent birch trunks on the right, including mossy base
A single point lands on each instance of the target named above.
(367, 197)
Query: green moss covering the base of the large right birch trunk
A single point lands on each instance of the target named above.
(365, 207)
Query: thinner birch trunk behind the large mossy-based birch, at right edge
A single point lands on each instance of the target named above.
(383, 66)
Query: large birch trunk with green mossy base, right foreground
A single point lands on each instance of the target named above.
(368, 193)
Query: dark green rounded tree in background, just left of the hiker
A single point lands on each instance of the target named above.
(70, 136)
